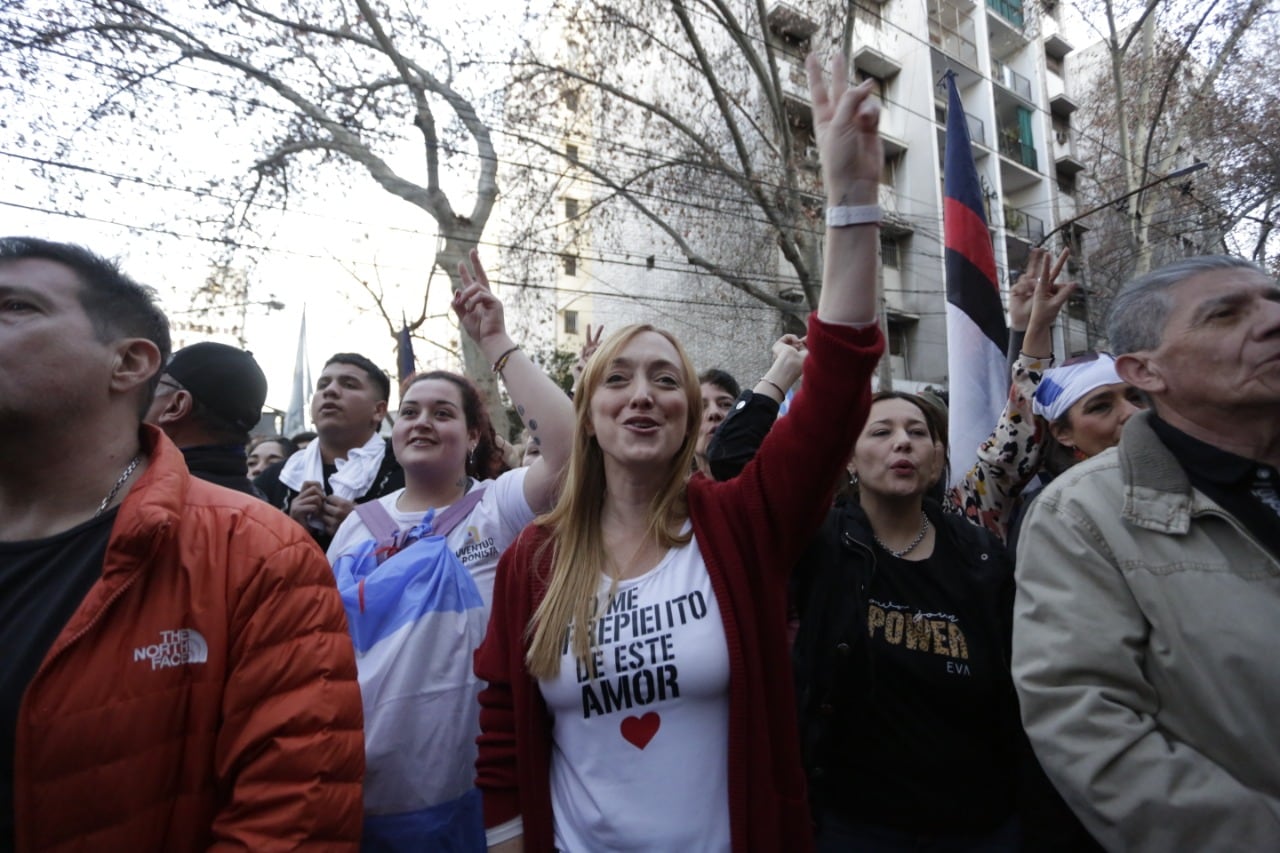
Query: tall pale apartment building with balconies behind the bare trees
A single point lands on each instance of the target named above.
(1018, 97)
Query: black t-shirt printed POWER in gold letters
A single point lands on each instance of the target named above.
(929, 743)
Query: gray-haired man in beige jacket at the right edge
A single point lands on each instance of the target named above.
(1149, 580)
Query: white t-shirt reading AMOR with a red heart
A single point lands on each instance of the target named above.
(641, 752)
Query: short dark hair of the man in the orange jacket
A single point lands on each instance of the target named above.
(116, 305)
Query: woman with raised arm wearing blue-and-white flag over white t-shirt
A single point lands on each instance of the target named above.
(419, 617)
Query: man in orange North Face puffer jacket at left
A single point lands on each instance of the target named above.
(177, 672)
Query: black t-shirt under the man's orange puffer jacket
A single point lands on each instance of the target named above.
(42, 585)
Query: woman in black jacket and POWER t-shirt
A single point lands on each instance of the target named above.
(909, 724)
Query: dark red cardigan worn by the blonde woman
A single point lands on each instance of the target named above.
(751, 532)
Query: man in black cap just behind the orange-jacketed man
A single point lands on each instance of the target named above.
(211, 396)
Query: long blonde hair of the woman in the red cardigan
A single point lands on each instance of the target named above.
(579, 556)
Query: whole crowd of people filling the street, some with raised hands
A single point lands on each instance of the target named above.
(670, 618)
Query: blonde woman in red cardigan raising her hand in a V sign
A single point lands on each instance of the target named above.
(637, 656)
